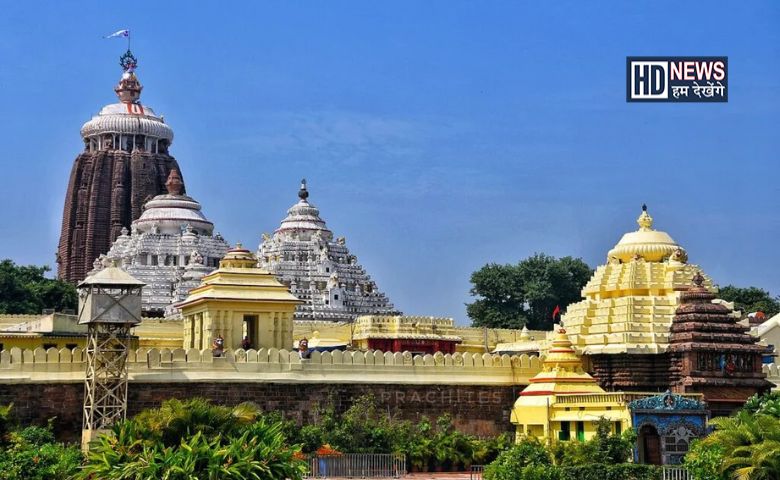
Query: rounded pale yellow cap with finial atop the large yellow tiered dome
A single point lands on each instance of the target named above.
(651, 245)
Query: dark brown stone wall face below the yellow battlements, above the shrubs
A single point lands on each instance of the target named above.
(479, 410)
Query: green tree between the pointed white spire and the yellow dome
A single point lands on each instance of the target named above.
(513, 296)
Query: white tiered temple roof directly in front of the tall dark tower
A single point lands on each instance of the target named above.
(170, 247)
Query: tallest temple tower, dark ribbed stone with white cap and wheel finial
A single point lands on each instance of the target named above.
(125, 162)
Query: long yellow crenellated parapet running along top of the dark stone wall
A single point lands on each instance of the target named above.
(282, 366)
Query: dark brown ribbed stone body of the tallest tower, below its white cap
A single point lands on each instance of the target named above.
(106, 192)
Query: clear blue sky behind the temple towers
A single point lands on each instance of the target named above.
(435, 135)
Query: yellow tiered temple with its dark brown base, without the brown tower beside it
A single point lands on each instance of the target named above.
(622, 324)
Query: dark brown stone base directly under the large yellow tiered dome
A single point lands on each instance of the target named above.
(631, 372)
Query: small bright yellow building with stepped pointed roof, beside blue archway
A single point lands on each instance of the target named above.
(563, 401)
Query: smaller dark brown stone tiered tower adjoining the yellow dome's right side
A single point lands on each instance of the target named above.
(712, 354)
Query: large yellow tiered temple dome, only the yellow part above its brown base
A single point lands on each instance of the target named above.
(628, 304)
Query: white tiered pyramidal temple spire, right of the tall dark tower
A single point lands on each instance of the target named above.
(319, 270)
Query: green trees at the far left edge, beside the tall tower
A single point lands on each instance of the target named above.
(25, 289)
